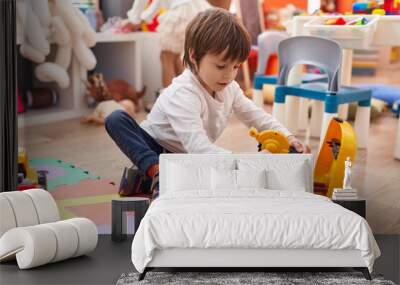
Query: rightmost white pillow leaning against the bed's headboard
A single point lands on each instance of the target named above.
(292, 179)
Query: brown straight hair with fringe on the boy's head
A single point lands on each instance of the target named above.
(214, 31)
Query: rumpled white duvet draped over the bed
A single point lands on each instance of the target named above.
(256, 218)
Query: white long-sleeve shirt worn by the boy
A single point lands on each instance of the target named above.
(187, 119)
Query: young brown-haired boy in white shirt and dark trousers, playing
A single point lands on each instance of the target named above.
(193, 111)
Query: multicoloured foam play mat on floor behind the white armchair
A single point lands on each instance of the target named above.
(78, 193)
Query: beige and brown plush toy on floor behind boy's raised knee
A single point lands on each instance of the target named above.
(105, 108)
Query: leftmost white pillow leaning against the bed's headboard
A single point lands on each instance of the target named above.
(182, 177)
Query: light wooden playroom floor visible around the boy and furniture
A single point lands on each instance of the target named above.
(376, 172)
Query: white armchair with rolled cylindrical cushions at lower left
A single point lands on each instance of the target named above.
(32, 233)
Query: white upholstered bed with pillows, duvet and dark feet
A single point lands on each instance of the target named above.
(215, 211)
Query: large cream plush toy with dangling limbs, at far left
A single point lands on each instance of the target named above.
(55, 21)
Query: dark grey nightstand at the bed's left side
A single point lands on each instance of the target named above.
(121, 205)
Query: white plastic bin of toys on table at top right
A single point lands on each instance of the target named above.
(348, 36)
